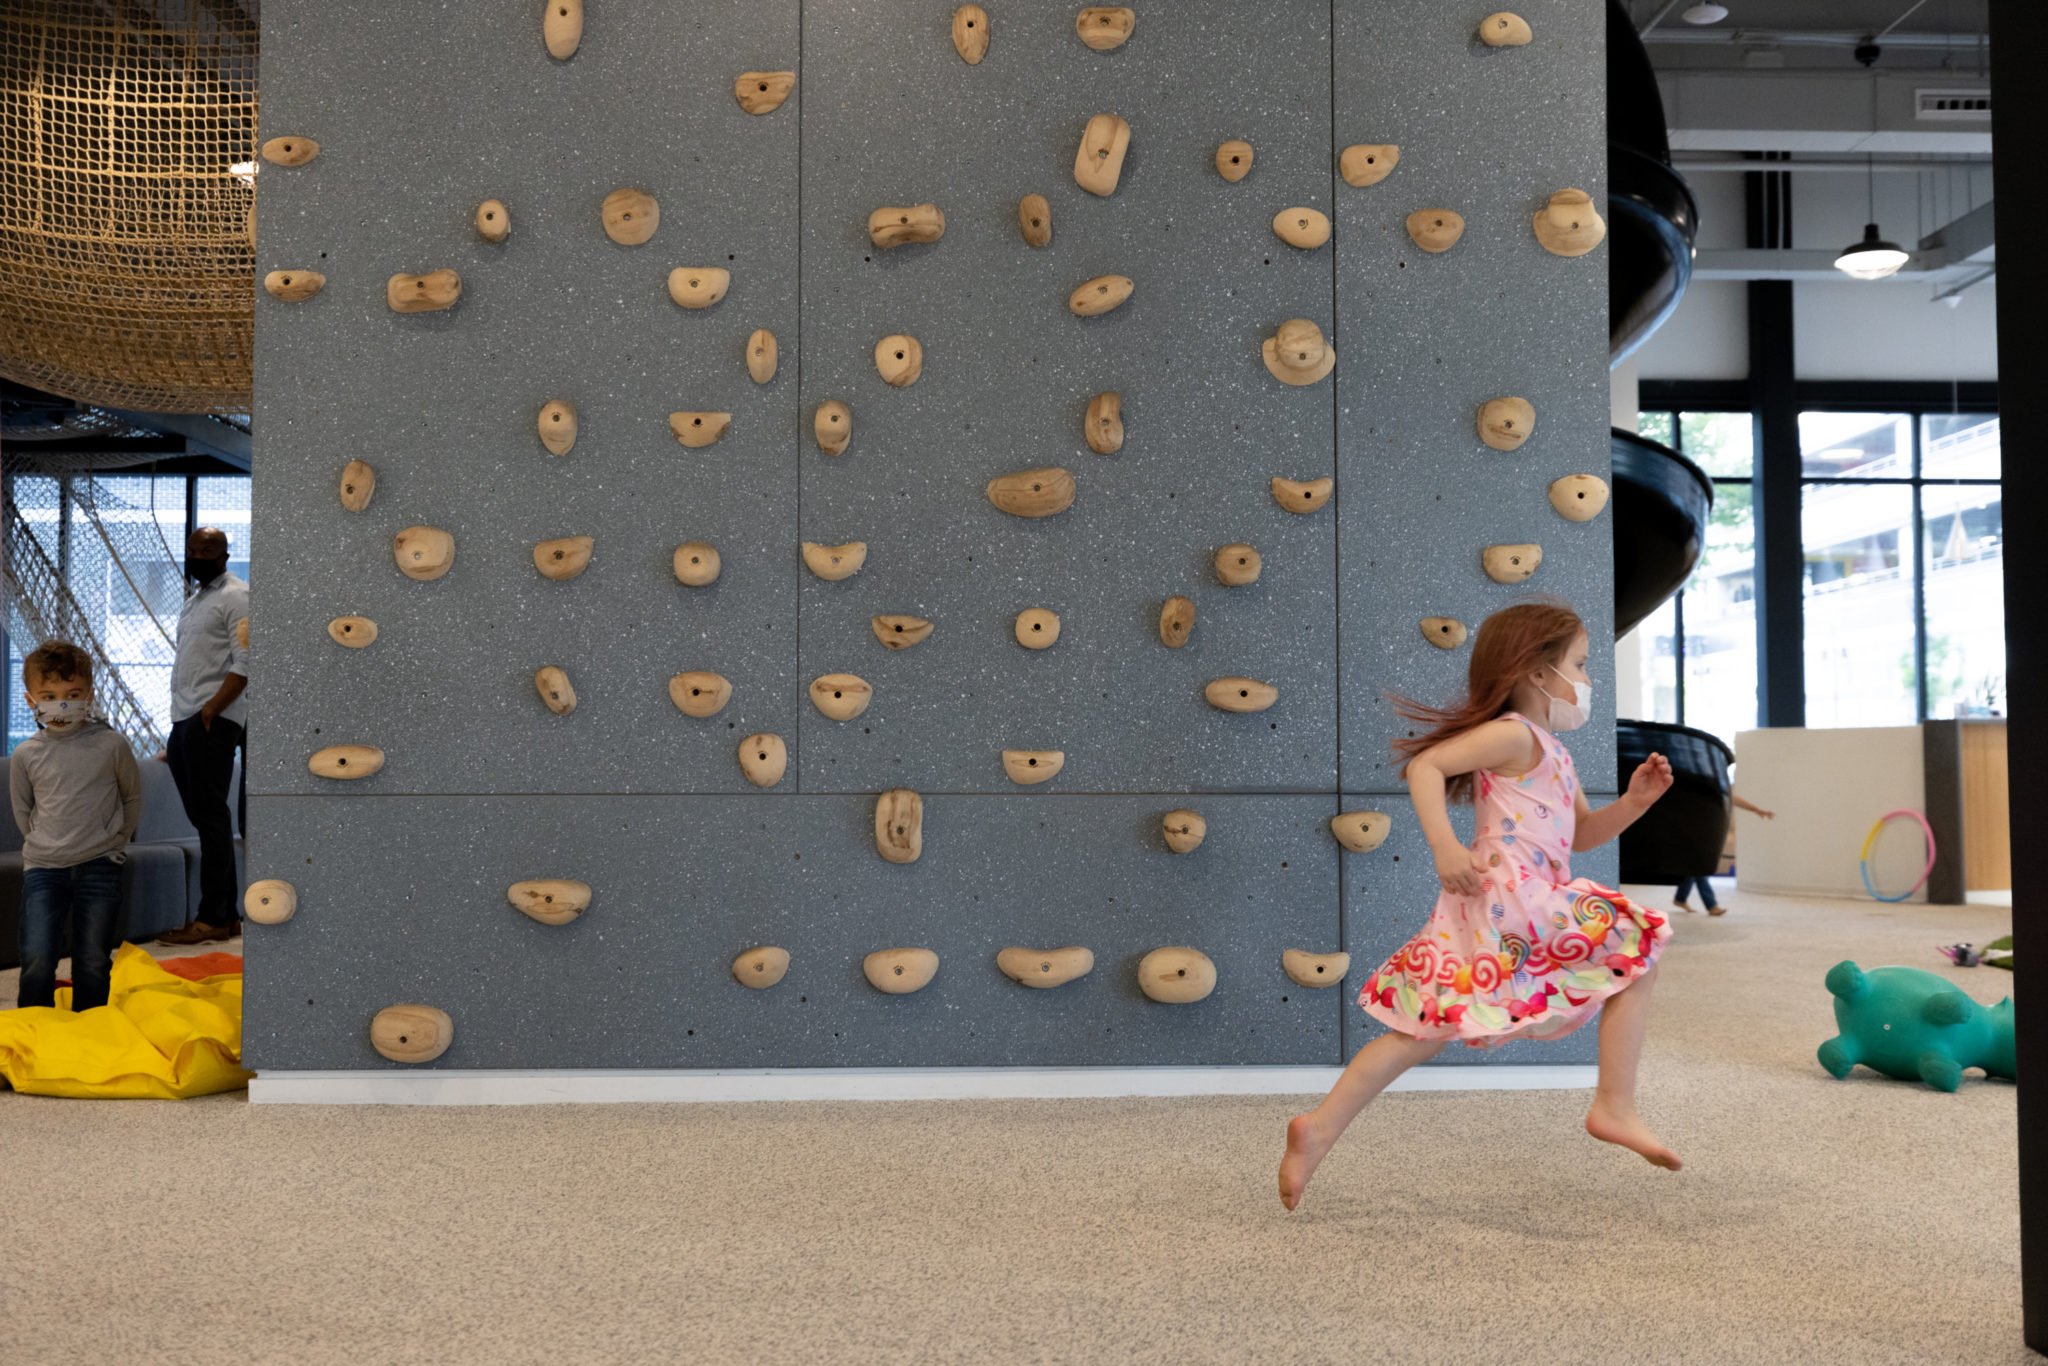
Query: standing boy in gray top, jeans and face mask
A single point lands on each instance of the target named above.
(77, 798)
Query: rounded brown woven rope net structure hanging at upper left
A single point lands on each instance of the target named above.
(128, 202)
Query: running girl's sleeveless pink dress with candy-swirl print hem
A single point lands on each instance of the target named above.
(1539, 951)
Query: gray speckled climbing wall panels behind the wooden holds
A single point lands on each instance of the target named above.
(402, 876)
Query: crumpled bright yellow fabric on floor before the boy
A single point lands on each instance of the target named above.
(159, 1037)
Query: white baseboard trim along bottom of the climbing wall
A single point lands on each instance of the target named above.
(554, 1088)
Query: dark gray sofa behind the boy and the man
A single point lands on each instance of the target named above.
(161, 882)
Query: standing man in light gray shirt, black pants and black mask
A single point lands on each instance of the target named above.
(208, 724)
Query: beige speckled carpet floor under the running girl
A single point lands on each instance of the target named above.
(1818, 1222)
